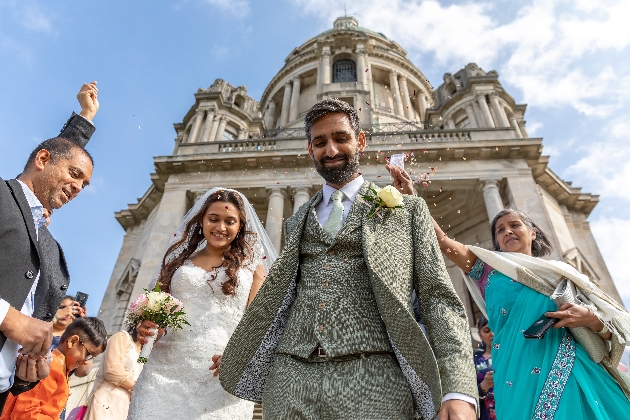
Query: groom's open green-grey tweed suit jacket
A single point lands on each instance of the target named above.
(402, 254)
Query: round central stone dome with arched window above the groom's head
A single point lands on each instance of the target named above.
(360, 66)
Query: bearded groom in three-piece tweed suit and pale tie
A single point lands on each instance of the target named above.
(331, 333)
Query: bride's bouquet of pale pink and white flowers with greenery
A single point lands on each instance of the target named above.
(159, 307)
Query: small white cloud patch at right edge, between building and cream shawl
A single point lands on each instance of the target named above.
(610, 234)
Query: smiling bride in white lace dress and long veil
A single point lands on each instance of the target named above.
(215, 263)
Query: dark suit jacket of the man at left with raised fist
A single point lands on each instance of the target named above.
(22, 256)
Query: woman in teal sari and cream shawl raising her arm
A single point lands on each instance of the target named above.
(552, 377)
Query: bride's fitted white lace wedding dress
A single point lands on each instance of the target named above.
(176, 382)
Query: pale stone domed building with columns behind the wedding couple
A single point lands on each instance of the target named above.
(467, 146)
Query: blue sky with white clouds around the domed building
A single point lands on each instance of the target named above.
(568, 60)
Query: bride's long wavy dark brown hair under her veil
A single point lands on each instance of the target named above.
(238, 251)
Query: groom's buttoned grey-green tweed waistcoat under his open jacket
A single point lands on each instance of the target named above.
(335, 304)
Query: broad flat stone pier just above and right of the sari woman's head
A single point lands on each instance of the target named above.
(523, 193)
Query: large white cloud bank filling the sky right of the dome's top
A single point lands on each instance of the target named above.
(543, 51)
